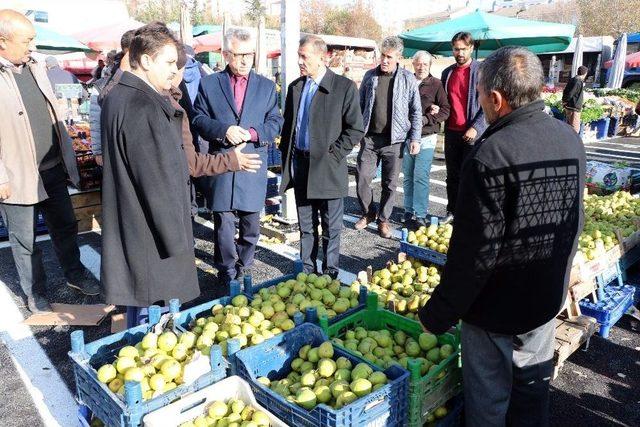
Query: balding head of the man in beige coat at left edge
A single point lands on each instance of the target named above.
(17, 37)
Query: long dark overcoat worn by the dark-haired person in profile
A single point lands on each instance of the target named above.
(147, 239)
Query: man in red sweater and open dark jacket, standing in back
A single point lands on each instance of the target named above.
(466, 120)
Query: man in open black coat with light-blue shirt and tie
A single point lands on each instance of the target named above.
(322, 123)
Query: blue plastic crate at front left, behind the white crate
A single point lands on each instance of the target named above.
(106, 405)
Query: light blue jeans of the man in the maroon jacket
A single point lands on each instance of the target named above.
(416, 169)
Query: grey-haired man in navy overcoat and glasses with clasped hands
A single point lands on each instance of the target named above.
(233, 106)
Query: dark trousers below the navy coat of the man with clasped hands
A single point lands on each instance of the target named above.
(233, 257)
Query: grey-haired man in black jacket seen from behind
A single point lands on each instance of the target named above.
(515, 232)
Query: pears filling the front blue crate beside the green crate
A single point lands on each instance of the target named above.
(316, 378)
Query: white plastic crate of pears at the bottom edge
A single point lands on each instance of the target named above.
(190, 407)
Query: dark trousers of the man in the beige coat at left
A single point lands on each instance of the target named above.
(20, 221)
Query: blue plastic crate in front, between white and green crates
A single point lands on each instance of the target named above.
(386, 406)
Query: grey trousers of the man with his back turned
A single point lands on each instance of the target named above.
(506, 377)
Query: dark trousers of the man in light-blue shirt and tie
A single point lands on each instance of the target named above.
(311, 212)
